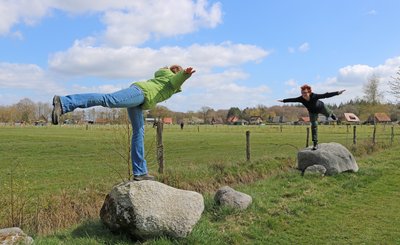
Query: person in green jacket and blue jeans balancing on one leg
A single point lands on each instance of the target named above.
(138, 97)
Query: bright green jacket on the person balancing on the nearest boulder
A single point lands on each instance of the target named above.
(164, 84)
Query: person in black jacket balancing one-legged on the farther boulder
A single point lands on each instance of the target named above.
(314, 106)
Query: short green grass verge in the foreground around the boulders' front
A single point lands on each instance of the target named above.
(351, 208)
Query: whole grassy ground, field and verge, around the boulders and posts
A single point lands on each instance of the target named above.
(60, 175)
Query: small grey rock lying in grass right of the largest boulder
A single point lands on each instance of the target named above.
(226, 196)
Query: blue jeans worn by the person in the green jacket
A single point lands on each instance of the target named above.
(130, 98)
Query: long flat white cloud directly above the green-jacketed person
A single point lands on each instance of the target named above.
(133, 62)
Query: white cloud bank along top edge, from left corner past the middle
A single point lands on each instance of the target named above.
(127, 22)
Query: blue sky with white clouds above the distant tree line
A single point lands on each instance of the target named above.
(246, 53)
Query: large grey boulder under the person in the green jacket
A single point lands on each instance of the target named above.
(147, 209)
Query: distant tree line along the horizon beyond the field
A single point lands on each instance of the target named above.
(28, 111)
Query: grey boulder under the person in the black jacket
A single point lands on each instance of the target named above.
(333, 156)
